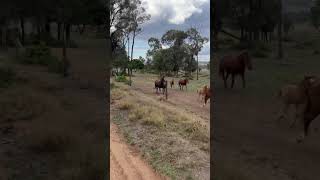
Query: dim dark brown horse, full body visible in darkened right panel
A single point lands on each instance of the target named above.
(235, 65)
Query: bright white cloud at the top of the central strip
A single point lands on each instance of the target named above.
(173, 11)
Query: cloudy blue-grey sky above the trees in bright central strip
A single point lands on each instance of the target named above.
(174, 14)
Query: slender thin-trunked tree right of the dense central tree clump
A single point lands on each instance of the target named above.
(196, 43)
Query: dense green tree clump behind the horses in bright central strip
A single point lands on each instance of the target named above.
(181, 47)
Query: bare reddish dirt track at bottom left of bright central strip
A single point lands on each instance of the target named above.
(125, 163)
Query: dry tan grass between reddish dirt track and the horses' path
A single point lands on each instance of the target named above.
(176, 140)
